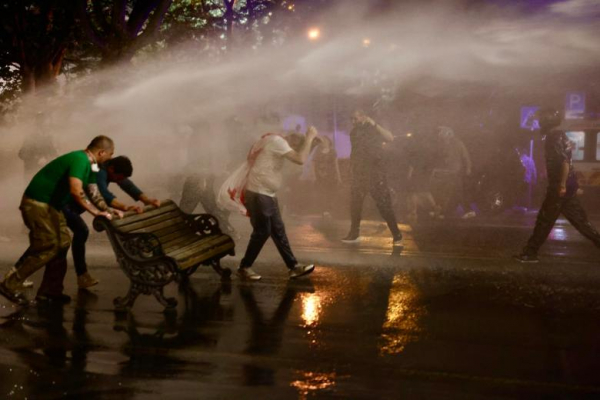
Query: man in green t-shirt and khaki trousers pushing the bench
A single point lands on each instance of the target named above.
(66, 178)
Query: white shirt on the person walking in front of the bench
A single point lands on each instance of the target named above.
(266, 175)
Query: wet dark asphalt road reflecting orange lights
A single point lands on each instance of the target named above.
(449, 316)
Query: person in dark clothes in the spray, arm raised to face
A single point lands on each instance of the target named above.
(368, 175)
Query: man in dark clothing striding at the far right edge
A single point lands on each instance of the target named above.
(561, 195)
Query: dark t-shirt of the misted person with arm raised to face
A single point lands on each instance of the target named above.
(367, 146)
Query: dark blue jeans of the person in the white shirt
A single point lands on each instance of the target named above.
(266, 223)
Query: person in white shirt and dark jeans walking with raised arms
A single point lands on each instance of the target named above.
(264, 179)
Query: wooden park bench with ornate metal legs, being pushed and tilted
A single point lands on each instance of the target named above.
(161, 245)
